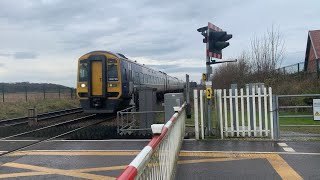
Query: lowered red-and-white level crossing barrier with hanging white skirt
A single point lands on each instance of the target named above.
(158, 159)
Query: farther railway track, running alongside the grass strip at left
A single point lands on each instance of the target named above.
(40, 117)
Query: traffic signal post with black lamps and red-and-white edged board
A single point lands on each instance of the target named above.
(215, 39)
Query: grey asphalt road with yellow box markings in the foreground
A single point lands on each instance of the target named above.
(210, 159)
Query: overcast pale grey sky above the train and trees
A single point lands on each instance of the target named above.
(41, 40)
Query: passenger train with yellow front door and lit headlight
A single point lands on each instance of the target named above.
(107, 81)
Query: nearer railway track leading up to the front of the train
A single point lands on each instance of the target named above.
(90, 118)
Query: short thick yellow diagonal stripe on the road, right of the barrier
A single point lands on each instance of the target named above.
(283, 168)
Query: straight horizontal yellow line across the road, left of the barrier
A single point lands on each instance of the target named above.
(75, 153)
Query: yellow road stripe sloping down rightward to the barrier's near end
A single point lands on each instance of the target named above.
(57, 171)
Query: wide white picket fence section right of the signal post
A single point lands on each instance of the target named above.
(245, 114)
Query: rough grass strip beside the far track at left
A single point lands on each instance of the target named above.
(18, 109)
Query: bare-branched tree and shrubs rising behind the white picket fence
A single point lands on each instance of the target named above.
(259, 64)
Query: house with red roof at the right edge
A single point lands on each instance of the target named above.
(312, 51)
